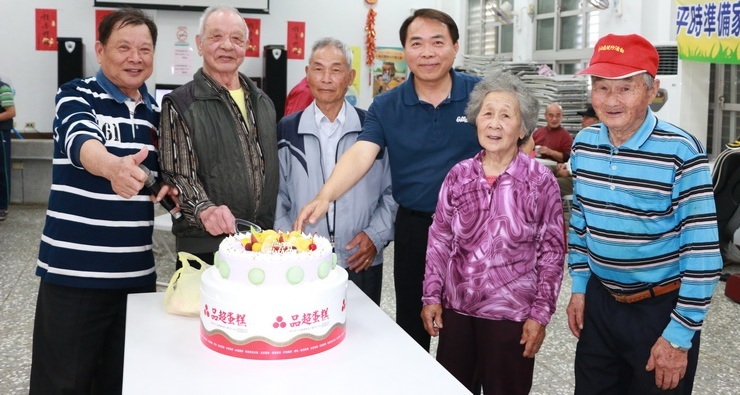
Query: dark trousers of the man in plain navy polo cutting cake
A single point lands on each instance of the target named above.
(409, 257)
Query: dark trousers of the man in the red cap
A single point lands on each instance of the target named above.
(615, 344)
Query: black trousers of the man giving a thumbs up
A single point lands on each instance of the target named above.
(78, 340)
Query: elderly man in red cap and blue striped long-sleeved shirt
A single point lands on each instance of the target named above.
(643, 242)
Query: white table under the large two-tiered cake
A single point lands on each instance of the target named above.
(164, 355)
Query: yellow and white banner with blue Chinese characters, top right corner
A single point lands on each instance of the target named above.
(708, 31)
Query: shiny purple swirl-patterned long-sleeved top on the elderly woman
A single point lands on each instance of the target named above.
(497, 251)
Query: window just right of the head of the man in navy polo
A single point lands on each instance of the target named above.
(488, 33)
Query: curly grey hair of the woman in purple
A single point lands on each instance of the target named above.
(529, 106)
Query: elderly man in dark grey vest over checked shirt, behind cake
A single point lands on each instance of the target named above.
(219, 146)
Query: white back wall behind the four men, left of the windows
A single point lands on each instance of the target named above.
(33, 73)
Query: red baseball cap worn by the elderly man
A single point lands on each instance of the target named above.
(617, 57)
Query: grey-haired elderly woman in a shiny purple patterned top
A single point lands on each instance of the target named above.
(496, 250)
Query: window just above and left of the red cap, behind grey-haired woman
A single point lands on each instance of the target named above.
(565, 32)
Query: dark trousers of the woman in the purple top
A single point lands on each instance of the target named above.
(485, 353)
